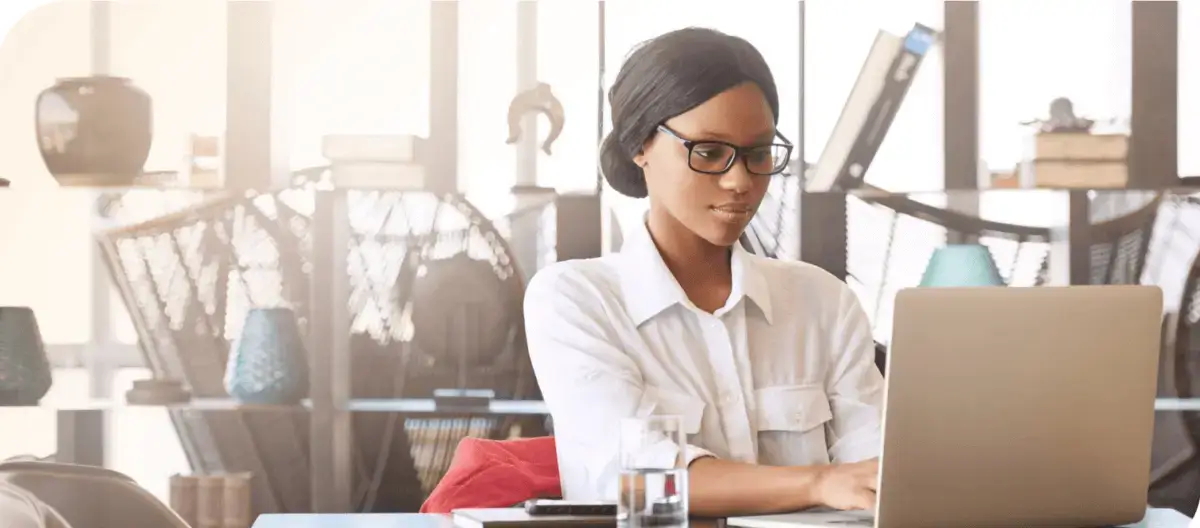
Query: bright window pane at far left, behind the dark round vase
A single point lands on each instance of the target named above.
(47, 278)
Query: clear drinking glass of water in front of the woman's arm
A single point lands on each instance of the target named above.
(653, 489)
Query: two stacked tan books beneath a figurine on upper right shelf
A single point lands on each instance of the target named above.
(1076, 160)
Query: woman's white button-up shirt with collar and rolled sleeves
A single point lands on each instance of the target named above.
(783, 375)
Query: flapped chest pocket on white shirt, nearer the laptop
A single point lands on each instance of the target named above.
(791, 425)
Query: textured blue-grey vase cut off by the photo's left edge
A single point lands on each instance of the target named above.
(25, 369)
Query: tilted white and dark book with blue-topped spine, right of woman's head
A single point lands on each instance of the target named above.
(868, 113)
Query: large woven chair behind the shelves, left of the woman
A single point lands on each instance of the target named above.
(190, 273)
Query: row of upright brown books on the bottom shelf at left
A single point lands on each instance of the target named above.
(220, 501)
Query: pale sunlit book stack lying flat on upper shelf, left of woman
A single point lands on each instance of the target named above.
(376, 161)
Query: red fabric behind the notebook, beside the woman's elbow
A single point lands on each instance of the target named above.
(497, 475)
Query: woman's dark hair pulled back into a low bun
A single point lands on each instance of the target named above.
(669, 76)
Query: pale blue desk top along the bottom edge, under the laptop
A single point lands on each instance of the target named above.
(1155, 519)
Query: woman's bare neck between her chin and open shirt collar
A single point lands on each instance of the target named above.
(701, 268)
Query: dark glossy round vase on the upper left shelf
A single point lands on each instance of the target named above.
(94, 131)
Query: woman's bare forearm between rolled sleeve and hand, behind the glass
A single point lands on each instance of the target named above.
(721, 488)
